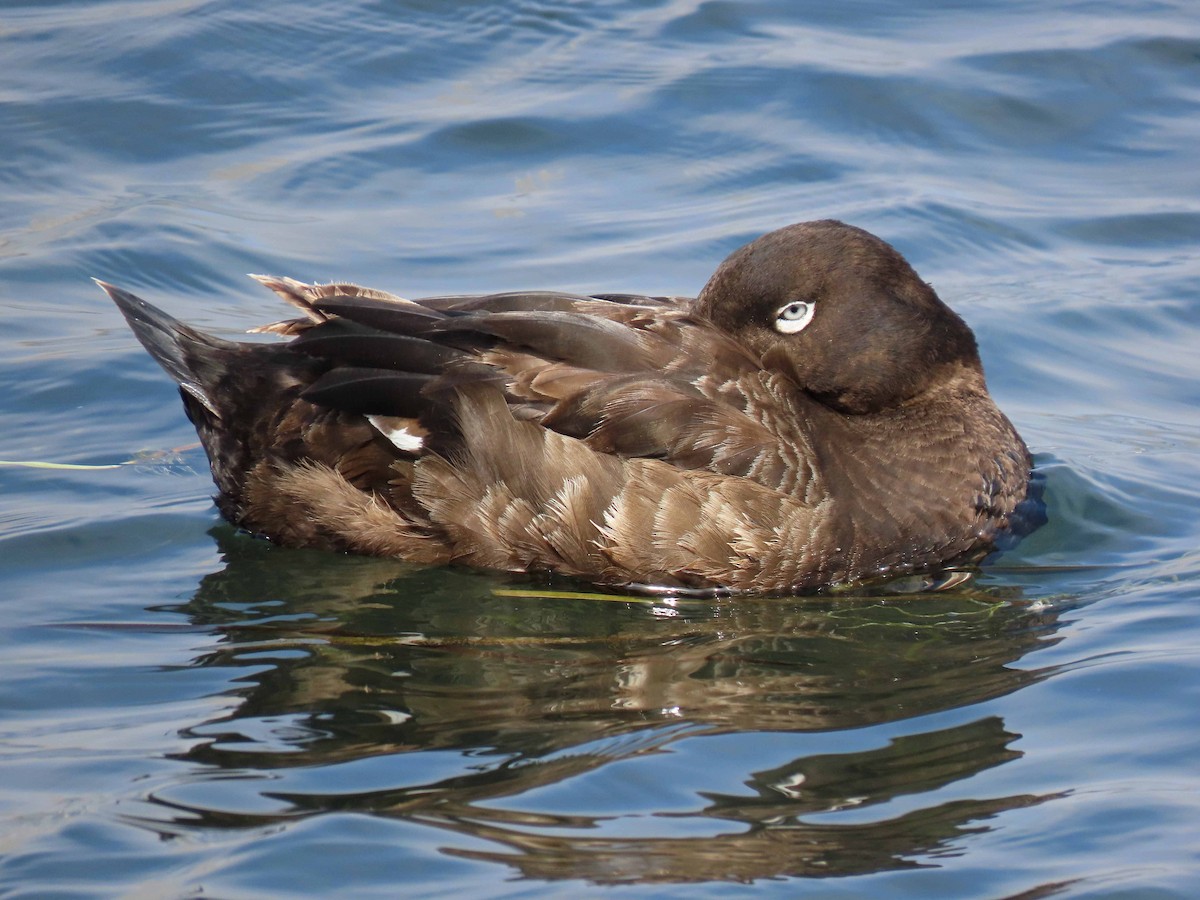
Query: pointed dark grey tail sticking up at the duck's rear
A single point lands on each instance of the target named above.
(190, 357)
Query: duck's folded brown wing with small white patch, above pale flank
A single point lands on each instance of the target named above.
(628, 375)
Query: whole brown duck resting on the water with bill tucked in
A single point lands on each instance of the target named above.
(817, 416)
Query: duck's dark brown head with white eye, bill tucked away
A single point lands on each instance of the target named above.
(841, 311)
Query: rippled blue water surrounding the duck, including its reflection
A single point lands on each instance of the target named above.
(187, 712)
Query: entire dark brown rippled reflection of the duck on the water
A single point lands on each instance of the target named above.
(349, 661)
